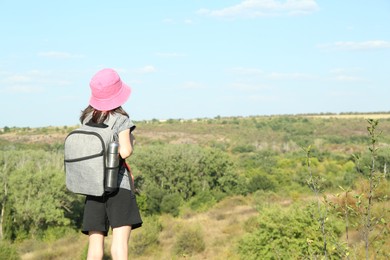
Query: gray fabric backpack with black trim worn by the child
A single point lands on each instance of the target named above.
(85, 157)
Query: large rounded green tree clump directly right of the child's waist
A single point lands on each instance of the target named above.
(174, 171)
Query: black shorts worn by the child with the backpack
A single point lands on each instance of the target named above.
(116, 209)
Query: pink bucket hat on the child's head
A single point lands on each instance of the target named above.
(108, 91)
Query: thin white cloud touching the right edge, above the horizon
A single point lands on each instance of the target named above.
(356, 46)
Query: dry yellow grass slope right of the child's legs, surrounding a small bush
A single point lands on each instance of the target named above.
(221, 227)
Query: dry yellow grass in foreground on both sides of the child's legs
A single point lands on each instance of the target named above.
(221, 227)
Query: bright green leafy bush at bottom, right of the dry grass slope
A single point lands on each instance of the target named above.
(285, 233)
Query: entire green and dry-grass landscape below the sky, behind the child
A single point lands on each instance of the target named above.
(215, 182)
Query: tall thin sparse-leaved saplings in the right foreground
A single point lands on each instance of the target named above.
(372, 226)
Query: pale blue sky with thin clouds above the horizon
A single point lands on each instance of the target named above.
(194, 58)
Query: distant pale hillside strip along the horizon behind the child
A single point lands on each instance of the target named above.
(230, 130)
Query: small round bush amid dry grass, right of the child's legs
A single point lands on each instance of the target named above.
(189, 241)
